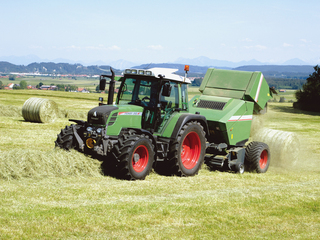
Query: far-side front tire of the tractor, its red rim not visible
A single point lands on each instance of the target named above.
(66, 139)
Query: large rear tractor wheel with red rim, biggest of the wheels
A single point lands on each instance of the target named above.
(186, 154)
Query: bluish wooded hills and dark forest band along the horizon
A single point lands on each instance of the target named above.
(278, 76)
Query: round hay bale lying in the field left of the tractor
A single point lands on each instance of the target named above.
(40, 110)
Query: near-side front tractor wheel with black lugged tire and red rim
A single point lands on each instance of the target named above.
(135, 155)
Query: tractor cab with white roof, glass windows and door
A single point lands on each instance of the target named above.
(158, 92)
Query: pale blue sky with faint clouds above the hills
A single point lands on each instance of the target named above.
(161, 31)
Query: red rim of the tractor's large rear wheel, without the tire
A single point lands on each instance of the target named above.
(190, 150)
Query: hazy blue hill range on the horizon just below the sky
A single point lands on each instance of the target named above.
(282, 71)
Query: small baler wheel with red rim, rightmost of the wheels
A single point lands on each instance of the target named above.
(257, 157)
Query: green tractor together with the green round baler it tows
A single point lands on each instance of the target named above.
(153, 125)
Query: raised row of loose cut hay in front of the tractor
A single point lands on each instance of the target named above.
(27, 163)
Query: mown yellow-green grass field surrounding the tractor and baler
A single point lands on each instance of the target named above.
(48, 194)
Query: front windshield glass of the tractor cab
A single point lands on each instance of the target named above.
(139, 91)
